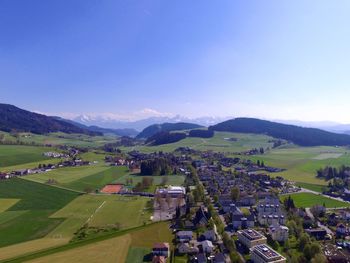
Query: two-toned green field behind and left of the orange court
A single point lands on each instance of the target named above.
(83, 178)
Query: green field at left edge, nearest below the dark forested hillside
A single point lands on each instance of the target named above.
(13, 155)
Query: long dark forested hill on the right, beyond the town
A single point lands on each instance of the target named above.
(298, 135)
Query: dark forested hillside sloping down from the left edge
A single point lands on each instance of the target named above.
(16, 119)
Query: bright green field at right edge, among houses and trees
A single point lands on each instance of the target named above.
(309, 200)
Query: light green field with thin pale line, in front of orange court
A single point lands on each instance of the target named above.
(99, 211)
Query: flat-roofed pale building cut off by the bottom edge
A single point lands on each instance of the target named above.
(265, 254)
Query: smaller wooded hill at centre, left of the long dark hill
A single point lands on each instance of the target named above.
(166, 127)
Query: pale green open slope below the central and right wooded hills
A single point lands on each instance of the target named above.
(220, 143)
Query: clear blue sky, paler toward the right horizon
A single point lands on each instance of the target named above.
(268, 59)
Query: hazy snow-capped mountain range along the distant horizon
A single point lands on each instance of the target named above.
(139, 125)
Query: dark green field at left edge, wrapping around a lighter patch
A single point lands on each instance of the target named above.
(28, 218)
